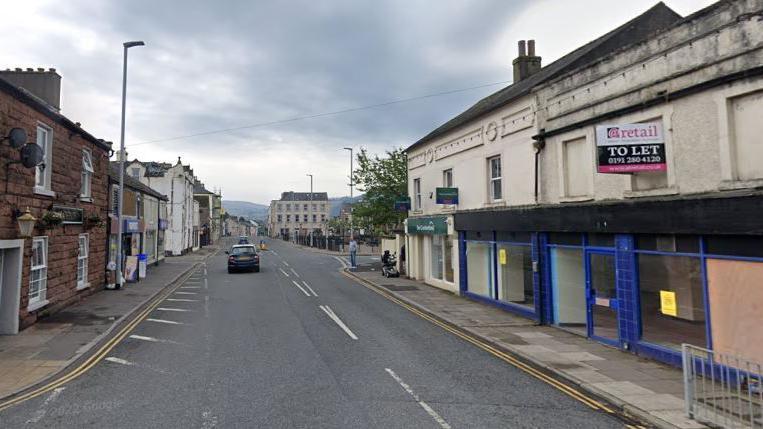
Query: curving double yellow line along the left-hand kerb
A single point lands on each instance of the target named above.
(101, 353)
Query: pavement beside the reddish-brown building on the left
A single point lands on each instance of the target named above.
(54, 343)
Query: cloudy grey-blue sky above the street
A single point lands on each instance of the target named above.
(240, 65)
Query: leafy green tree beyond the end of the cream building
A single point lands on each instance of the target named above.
(382, 180)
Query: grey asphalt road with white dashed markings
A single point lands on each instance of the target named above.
(258, 350)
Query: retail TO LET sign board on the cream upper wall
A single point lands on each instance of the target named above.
(630, 148)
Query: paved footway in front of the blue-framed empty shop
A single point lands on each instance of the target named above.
(644, 388)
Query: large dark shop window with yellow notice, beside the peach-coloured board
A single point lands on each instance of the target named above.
(670, 278)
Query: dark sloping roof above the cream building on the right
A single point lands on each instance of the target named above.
(658, 18)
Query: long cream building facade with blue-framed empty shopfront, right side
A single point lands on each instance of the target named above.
(627, 210)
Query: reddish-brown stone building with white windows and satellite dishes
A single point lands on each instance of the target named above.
(64, 258)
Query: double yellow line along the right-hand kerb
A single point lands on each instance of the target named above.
(591, 402)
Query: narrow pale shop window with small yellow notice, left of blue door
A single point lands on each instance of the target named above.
(515, 274)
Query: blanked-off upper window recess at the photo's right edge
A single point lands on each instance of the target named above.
(745, 114)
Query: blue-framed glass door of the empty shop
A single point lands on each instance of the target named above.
(602, 296)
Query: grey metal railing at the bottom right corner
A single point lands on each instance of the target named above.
(722, 390)
